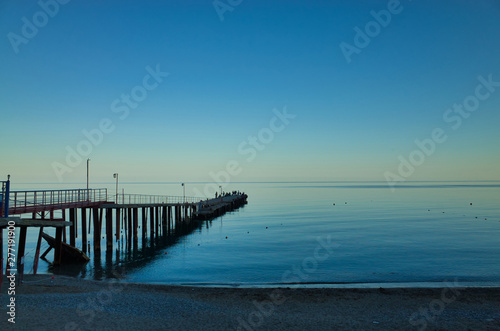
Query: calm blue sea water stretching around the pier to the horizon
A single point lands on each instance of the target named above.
(345, 232)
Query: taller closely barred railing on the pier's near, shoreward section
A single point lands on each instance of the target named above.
(36, 201)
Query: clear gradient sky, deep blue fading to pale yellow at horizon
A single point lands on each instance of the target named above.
(185, 91)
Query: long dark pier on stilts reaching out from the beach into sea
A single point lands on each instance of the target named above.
(88, 215)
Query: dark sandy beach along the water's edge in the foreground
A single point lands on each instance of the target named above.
(65, 303)
